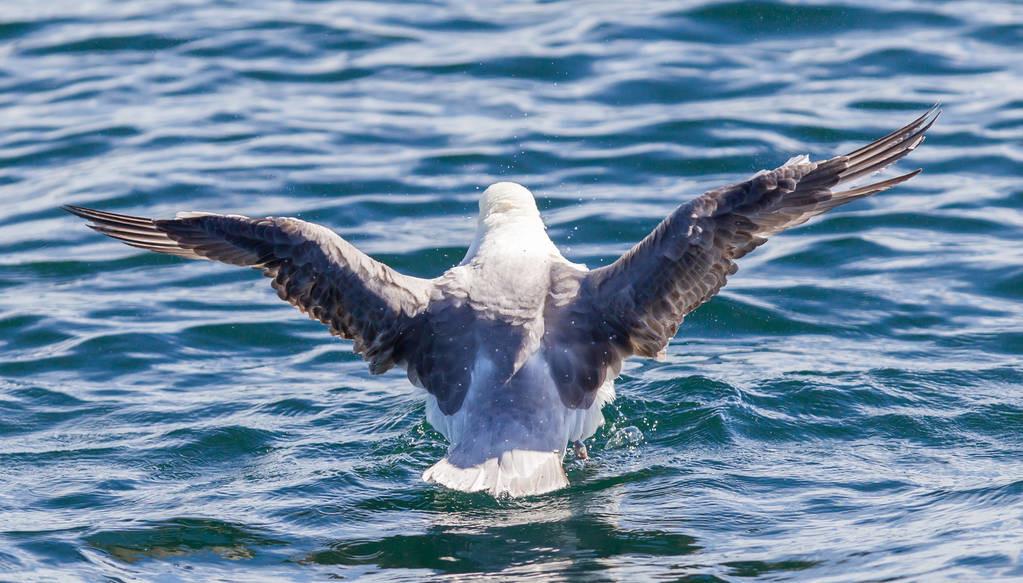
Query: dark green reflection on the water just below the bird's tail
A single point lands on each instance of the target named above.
(574, 534)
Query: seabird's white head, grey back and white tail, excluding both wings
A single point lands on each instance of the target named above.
(513, 429)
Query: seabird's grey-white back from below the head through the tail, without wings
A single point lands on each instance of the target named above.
(499, 406)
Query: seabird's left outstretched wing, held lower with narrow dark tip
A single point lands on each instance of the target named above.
(313, 268)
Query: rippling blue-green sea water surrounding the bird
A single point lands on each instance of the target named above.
(850, 409)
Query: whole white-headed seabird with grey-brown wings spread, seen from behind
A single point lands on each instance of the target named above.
(517, 347)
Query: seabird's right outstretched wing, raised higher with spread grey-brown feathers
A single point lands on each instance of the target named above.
(636, 305)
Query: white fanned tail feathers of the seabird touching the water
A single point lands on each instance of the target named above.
(515, 473)
